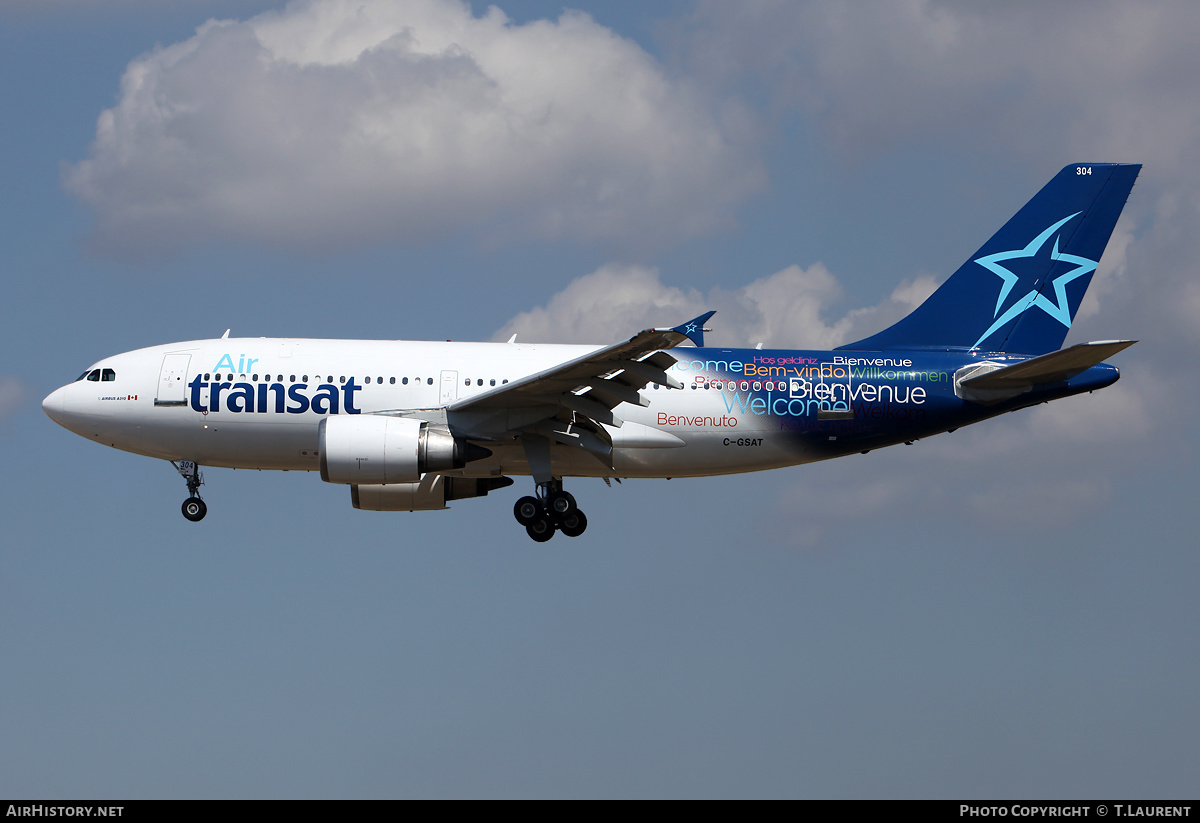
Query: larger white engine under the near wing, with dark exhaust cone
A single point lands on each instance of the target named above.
(373, 449)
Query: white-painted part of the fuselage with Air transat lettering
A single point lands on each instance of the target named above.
(256, 404)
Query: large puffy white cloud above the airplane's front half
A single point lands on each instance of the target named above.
(334, 123)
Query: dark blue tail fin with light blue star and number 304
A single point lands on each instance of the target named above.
(1021, 292)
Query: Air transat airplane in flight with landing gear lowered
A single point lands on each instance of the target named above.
(413, 426)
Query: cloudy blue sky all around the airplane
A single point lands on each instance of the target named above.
(1006, 611)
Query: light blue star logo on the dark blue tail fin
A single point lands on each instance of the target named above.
(1041, 261)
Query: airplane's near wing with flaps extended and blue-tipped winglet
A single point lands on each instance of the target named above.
(571, 404)
